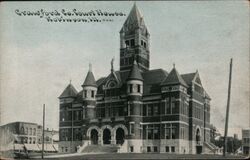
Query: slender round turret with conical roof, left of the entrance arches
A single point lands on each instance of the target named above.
(89, 94)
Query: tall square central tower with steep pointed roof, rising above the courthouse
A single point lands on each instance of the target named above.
(134, 42)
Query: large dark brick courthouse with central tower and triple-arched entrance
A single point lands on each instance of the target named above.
(135, 108)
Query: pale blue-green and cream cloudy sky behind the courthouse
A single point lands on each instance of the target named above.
(39, 58)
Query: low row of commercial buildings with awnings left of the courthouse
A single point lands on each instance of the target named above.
(26, 136)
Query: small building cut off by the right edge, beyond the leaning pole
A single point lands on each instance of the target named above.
(246, 141)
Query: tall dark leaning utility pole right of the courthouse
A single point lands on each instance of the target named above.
(227, 112)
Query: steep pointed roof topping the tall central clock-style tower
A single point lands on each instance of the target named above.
(134, 19)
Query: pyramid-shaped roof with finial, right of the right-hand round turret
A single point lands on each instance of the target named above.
(174, 78)
